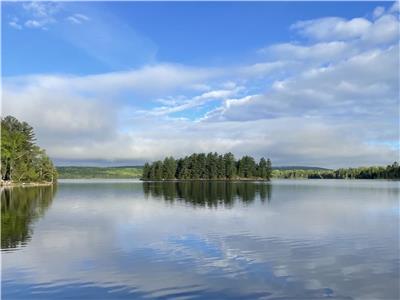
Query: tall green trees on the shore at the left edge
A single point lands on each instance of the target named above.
(21, 159)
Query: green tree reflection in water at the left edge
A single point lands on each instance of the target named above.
(20, 207)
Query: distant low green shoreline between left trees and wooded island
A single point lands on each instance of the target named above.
(98, 172)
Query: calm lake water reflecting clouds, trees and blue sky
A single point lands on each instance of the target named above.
(305, 239)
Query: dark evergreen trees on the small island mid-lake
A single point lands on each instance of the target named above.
(208, 166)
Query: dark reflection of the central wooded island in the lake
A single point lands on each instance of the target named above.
(208, 193)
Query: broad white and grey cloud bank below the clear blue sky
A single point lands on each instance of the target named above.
(329, 98)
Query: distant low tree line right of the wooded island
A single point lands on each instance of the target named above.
(375, 172)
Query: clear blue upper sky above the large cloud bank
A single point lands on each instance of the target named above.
(211, 33)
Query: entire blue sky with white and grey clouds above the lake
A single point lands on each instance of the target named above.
(121, 83)
